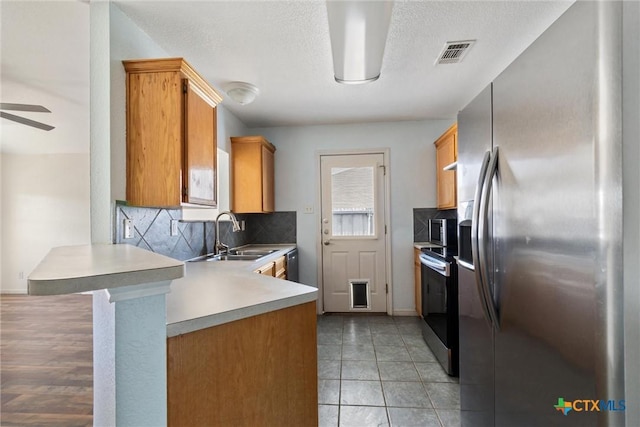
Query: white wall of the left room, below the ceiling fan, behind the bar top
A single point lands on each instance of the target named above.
(45, 203)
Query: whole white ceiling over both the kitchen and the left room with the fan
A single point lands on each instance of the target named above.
(282, 47)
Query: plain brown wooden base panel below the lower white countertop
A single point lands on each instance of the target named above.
(256, 371)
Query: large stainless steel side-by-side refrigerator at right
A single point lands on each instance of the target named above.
(540, 264)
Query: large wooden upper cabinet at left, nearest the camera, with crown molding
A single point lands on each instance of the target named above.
(171, 134)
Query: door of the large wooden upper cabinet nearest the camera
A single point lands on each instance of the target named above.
(200, 164)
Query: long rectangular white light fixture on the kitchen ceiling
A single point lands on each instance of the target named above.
(358, 31)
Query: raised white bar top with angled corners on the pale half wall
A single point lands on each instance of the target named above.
(84, 268)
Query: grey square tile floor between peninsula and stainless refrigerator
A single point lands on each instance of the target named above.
(378, 371)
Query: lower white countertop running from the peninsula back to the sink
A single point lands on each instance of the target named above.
(217, 292)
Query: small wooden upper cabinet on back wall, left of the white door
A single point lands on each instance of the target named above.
(252, 171)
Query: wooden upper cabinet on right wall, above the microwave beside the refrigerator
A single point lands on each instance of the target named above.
(446, 154)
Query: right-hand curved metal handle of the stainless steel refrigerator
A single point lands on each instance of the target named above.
(483, 218)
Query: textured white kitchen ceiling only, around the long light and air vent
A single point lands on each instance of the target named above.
(284, 49)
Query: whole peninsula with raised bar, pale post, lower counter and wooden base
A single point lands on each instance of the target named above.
(222, 334)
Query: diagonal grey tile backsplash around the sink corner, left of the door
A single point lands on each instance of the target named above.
(152, 231)
